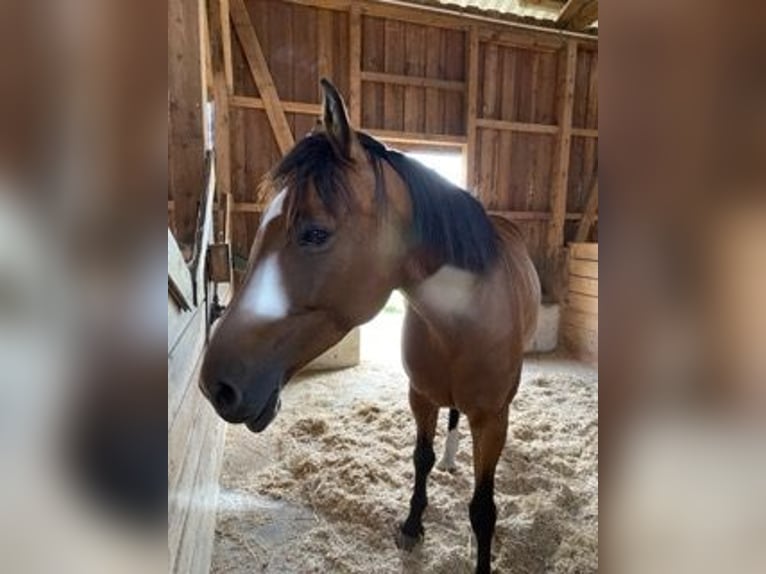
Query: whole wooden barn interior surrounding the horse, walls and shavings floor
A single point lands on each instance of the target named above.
(500, 95)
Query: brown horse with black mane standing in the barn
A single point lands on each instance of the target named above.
(351, 222)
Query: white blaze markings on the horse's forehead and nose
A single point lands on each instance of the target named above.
(265, 295)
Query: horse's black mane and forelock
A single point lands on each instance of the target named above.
(447, 221)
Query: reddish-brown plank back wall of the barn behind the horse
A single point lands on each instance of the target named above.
(521, 105)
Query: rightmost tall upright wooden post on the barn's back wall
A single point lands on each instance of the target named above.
(555, 235)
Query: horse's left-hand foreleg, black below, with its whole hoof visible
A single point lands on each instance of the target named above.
(425, 412)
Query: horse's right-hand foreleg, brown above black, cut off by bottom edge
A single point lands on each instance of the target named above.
(489, 433)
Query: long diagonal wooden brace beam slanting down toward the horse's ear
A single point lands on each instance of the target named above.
(261, 75)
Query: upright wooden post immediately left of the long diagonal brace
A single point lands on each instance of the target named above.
(220, 96)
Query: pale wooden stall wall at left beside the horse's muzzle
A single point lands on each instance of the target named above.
(195, 432)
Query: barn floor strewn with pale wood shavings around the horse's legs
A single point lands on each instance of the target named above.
(324, 487)
